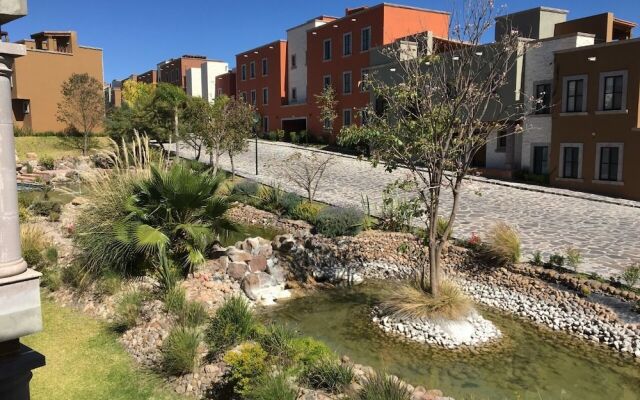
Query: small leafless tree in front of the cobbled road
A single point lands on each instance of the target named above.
(306, 172)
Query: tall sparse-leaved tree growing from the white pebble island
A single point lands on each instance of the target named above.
(439, 107)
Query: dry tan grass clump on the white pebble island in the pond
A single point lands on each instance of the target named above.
(409, 301)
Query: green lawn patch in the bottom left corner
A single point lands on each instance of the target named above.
(84, 361)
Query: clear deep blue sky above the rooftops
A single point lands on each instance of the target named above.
(137, 34)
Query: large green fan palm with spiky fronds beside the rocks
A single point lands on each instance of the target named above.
(177, 213)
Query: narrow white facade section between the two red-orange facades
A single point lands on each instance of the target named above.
(297, 58)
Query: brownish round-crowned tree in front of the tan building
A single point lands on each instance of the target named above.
(82, 106)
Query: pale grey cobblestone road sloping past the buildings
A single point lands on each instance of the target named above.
(608, 235)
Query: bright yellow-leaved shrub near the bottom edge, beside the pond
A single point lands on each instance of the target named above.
(247, 364)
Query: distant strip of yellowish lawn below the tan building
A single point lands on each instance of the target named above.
(54, 146)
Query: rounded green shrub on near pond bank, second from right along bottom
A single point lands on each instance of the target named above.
(328, 375)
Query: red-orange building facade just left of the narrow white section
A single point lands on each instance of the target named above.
(261, 80)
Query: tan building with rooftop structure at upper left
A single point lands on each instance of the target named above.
(52, 57)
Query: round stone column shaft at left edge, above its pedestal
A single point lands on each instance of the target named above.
(11, 262)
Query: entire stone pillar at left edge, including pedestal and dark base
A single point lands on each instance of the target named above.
(20, 313)
